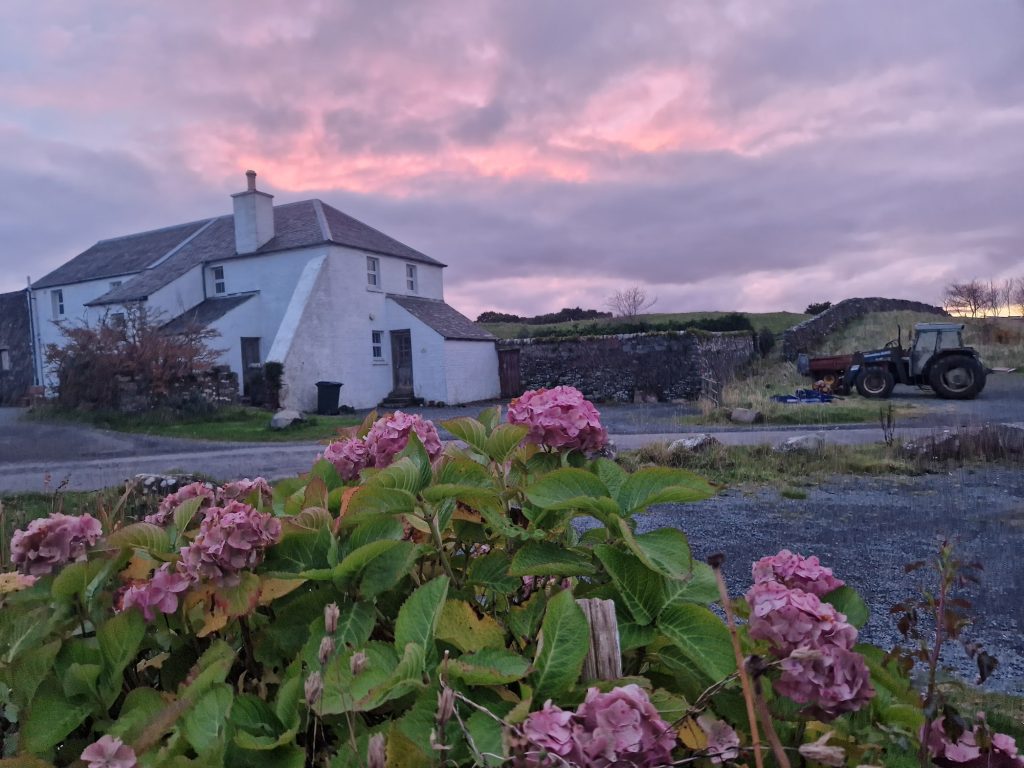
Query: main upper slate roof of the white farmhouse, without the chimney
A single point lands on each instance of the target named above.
(157, 258)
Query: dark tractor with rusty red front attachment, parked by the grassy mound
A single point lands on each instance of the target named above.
(936, 359)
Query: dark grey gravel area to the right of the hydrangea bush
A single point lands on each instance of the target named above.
(868, 529)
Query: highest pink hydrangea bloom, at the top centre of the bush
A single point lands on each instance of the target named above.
(560, 418)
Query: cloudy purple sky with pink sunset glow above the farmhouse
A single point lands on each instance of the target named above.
(752, 156)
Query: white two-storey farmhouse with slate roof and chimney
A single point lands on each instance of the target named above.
(302, 284)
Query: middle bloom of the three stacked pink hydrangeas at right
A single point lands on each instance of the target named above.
(792, 619)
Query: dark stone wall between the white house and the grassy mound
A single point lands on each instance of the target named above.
(629, 367)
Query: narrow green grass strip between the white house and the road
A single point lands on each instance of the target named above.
(236, 424)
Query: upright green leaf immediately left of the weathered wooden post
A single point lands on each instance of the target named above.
(564, 647)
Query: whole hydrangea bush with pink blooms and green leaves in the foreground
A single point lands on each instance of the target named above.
(410, 605)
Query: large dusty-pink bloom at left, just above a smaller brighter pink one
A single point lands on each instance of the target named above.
(230, 539)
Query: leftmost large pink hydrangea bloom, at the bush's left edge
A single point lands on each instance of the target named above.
(52, 542)
